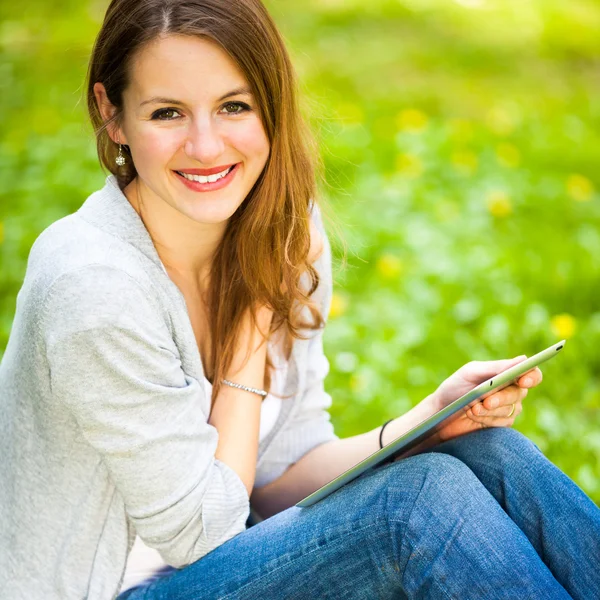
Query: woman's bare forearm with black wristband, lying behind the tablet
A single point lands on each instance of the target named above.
(327, 461)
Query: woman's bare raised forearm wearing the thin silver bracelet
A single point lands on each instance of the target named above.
(236, 412)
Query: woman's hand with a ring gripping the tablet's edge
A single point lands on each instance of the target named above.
(493, 411)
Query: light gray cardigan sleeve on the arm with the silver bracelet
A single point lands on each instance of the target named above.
(114, 365)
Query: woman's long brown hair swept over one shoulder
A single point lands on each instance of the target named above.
(266, 243)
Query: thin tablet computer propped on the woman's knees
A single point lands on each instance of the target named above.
(409, 440)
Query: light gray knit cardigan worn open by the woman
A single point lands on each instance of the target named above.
(103, 429)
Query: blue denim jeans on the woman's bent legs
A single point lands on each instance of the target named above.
(485, 515)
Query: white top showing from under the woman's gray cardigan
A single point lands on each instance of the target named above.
(143, 561)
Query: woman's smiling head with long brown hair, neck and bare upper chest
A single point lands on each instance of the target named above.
(191, 105)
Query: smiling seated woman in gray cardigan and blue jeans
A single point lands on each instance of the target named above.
(151, 327)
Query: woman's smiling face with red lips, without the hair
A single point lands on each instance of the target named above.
(188, 109)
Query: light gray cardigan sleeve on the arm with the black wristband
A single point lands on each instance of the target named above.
(310, 425)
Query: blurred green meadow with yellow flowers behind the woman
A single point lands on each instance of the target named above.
(461, 147)
